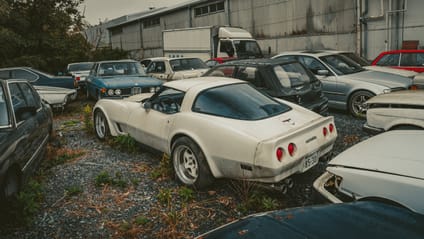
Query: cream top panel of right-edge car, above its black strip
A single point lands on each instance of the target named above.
(410, 97)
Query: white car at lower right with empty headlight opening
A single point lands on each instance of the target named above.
(389, 166)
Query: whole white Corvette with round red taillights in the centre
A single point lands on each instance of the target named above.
(215, 127)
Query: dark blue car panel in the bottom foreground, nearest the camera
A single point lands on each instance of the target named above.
(344, 220)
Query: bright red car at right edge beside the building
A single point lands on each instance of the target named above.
(412, 60)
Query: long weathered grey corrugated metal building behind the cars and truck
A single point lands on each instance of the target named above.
(363, 26)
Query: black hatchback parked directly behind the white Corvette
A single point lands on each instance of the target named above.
(288, 80)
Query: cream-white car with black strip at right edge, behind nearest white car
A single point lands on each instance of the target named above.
(407, 109)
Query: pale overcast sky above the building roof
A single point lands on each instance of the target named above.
(96, 10)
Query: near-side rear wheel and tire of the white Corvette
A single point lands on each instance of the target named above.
(190, 164)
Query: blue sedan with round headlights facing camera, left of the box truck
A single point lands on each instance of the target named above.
(117, 79)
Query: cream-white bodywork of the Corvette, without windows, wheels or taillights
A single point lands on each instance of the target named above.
(252, 157)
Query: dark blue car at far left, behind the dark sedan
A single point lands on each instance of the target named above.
(37, 77)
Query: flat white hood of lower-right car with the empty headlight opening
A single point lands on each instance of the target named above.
(395, 152)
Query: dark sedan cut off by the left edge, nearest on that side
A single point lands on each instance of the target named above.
(25, 127)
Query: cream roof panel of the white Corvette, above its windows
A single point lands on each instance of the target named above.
(201, 83)
